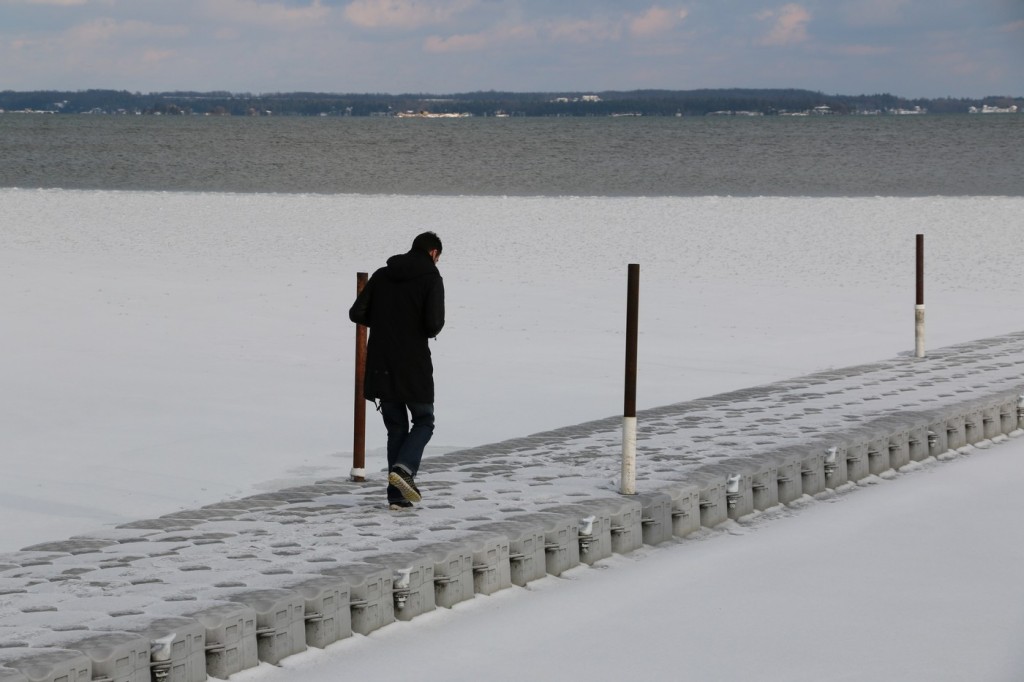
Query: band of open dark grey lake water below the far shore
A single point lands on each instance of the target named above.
(891, 156)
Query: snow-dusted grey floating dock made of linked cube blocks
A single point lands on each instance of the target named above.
(217, 590)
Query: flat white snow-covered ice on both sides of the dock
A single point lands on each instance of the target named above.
(169, 351)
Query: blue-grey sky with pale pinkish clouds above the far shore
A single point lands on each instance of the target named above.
(927, 49)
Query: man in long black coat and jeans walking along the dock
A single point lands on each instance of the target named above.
(404, 306)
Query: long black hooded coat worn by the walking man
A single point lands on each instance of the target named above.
(404, 306)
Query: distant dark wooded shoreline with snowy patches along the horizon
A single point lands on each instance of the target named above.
(638, 103)
